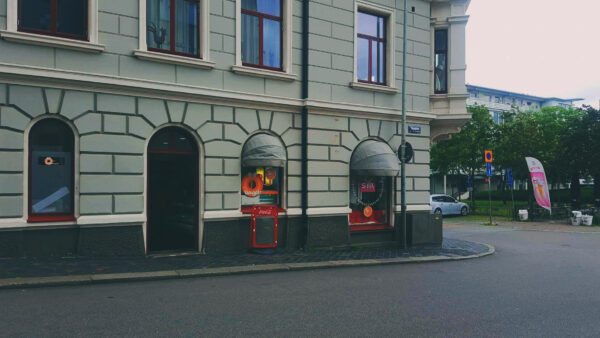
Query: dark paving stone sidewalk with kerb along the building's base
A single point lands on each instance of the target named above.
(29, 267)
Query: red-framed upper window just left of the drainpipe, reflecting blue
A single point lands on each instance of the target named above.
(261, 34)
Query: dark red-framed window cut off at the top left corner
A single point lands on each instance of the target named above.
(62, 18)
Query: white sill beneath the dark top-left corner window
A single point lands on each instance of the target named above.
(52, 41)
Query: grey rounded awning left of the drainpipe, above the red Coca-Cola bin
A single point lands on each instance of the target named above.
(263, 150)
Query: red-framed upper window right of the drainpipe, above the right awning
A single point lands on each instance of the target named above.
(371, 40)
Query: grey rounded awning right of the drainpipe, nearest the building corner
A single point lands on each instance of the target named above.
(374, 158)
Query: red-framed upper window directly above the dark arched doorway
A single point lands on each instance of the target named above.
(172, 26)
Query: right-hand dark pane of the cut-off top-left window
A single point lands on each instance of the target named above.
(72, 17)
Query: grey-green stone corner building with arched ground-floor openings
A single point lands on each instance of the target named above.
(138, 126)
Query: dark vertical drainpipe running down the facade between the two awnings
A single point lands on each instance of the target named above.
(304, 131)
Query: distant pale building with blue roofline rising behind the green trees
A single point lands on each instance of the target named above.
(500, 101)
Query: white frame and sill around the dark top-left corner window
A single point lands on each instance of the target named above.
(12, 32)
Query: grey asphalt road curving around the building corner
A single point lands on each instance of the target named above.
(544, 284)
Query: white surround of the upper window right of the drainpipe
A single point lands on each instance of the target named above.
(390, 51)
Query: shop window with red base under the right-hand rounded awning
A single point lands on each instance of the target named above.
(370, 202)
